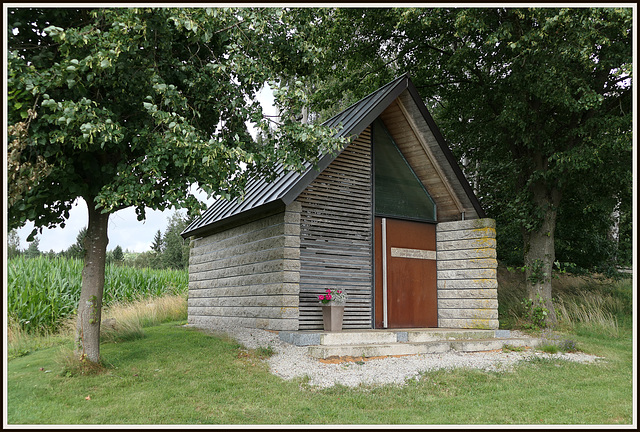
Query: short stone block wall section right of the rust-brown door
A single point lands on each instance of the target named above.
(467, 274)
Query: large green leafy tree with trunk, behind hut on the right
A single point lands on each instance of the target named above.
(537, 102)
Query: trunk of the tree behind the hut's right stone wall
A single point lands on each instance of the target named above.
(539, 251)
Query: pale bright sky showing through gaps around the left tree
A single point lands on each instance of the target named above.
(124, 228)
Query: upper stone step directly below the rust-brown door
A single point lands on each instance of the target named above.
(362, 337)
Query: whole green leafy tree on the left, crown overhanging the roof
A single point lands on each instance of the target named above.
(130, 107)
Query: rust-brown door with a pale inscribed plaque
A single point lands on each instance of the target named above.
(411, 286)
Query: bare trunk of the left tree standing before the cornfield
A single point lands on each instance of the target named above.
(90, 305)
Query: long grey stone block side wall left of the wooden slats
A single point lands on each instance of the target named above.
(248, 276)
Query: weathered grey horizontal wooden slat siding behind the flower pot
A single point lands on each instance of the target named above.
(336, 236)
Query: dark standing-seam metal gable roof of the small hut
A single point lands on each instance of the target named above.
(262, 197)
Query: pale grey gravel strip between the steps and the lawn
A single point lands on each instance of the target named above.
(290, 361)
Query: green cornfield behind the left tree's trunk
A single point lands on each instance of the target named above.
(42, 292)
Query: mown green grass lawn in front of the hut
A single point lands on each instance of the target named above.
(178, 375)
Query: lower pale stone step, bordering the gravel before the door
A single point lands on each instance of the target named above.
(411, 348)
